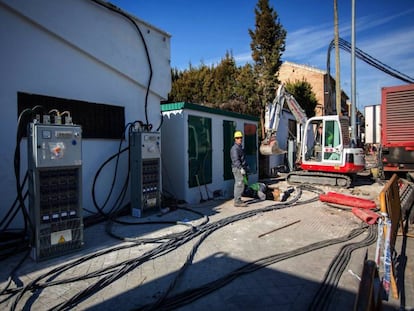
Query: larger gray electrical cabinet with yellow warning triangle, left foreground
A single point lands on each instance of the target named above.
(55, 189)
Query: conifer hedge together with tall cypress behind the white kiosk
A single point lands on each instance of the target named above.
(245, 89)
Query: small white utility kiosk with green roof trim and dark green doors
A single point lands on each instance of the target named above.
(196, 142)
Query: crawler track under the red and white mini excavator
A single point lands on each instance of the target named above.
(319, 178)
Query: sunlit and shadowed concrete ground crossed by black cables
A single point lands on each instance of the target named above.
(301, 254)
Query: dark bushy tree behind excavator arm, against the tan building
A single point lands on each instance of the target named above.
(304, 95)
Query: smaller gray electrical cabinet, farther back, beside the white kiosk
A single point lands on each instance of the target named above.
(145, 171)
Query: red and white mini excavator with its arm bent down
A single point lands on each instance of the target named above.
(324, 153)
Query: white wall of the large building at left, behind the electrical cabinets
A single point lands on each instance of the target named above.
(89, 53)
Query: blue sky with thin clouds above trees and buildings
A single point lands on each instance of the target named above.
(202, 32)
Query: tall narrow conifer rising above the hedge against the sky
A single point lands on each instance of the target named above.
(268, 45)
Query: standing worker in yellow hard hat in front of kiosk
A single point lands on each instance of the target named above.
(239, 168)
